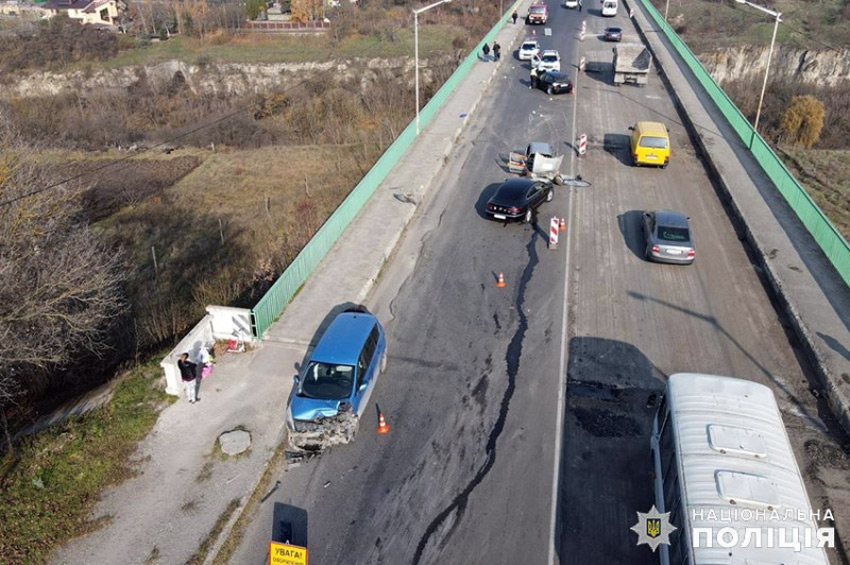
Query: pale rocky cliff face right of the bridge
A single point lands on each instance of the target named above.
(824, 68)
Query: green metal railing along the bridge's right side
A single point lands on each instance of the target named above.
(833, 244)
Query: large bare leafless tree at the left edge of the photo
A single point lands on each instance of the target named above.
(60, 284)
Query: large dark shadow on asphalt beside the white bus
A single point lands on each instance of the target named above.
(613, 391)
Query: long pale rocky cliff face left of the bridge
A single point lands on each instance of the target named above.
(207, 79)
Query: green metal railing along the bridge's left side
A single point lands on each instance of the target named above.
(271, 305)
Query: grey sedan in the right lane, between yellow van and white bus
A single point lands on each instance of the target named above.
(668, 237)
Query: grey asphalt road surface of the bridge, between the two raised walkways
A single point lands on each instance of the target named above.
(491, 393)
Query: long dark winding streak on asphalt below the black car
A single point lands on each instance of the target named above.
(512, 357)
